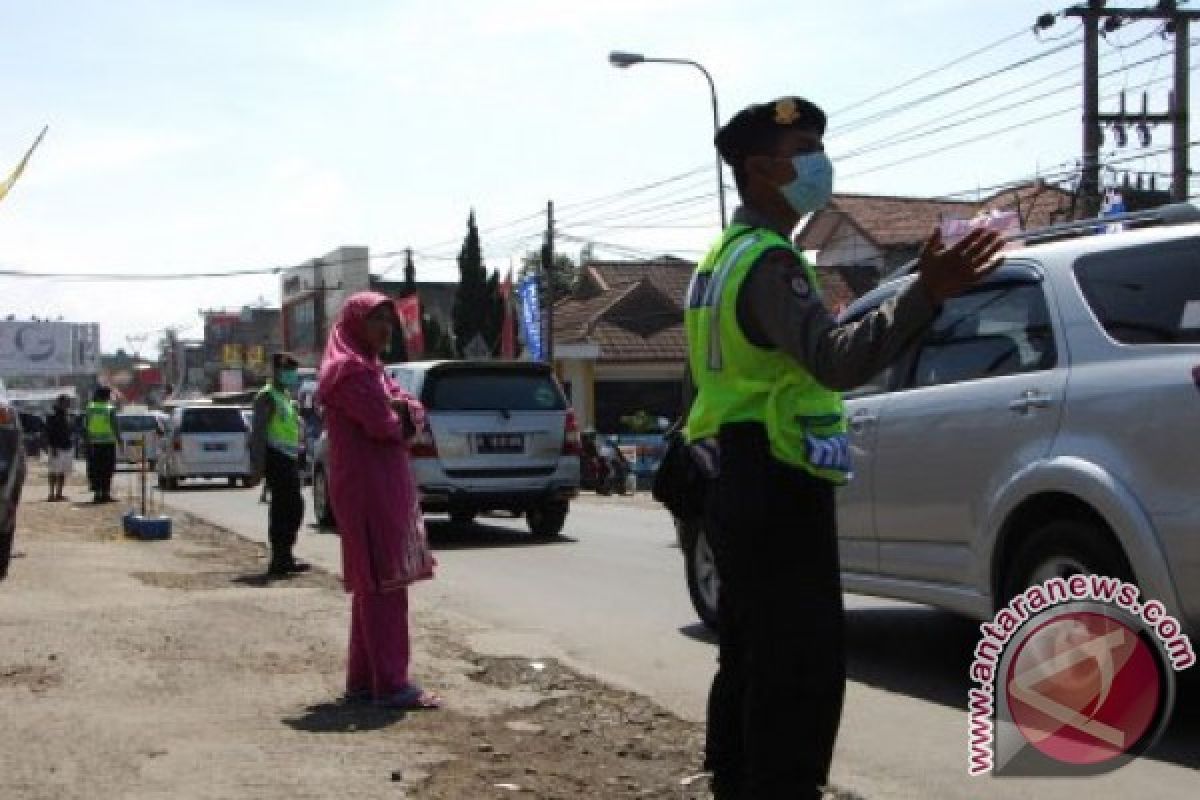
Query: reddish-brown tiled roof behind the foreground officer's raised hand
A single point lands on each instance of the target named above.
(895, 221)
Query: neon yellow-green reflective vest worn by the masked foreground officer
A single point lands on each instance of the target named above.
(741, 382)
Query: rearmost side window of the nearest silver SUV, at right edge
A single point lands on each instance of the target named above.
(1145, 296)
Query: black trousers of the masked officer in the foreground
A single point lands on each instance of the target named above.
(776, 703)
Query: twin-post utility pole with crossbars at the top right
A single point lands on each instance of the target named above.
(1177, 23)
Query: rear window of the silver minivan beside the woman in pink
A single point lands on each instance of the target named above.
(493, 390)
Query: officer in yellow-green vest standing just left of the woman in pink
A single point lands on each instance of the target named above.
(275, 452)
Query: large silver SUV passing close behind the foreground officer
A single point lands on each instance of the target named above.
(1047, 425)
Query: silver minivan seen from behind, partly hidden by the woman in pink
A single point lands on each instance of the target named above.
(501, 437)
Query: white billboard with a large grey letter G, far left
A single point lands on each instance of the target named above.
(49, 348)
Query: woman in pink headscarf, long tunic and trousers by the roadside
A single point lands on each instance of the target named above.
(370, 423)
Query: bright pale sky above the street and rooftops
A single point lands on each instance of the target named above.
(220, 135)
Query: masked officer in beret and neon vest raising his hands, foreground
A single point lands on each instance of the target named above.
(766, 366)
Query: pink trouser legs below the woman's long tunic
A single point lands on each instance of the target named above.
(380, 652)
